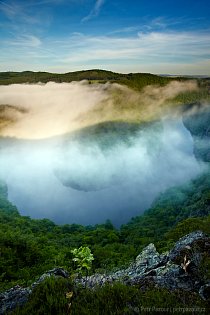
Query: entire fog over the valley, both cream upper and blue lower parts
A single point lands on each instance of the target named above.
(88, 178)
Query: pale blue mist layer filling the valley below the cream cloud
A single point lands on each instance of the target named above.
(72, 181)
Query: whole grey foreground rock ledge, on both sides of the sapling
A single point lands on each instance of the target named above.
(177, 269)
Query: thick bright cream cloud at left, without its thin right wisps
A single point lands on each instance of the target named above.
(51, 109)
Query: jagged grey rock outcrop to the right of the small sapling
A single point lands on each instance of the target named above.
(178, 269)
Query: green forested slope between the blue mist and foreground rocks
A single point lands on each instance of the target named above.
(30, 247)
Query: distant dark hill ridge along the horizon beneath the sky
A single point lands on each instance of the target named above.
(136, 81)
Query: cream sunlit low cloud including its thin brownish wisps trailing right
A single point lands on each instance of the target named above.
(54, 109)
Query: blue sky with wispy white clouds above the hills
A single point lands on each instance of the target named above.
(124, 36)
